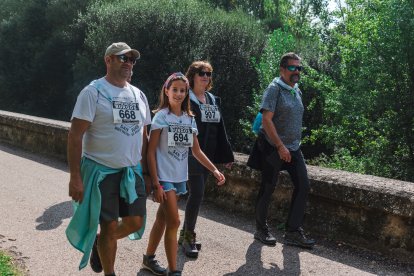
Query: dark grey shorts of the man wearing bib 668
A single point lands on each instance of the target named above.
(113, 205)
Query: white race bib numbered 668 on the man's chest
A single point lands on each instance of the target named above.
(126, 112)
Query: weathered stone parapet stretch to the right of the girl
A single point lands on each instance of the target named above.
(362, 210)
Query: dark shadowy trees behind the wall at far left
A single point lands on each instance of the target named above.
(36, 56)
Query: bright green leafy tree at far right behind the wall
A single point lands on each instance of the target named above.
(373, 112)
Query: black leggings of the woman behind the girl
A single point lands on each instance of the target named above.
(196, 185)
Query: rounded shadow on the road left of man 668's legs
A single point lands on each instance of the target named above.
(54, 215)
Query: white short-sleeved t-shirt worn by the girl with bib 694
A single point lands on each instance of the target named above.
(172, 161)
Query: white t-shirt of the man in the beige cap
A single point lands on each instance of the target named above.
(119, 144)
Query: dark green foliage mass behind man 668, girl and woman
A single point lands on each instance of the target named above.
(44, 65)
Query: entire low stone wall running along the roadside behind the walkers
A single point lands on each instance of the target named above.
(362, 210)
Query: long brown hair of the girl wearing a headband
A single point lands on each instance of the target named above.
(163, 99)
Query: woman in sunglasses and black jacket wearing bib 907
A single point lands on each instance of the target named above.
(213, 142)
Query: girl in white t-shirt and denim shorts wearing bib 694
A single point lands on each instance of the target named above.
(173, 132)
